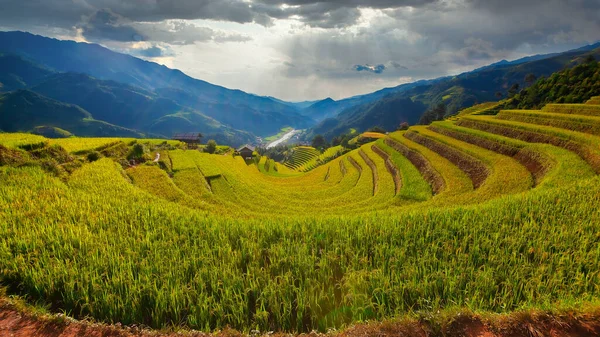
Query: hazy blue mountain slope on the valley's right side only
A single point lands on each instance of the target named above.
(408, 102)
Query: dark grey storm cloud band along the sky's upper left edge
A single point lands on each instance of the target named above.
(324, 14)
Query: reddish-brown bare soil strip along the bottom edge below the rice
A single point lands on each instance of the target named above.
(16, 323)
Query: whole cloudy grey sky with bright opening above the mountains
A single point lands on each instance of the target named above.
(310, 49)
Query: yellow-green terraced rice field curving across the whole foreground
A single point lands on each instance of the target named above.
(489, 213)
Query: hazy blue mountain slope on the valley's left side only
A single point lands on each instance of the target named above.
(126, 91)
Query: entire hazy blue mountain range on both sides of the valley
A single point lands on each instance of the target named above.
(88, 90)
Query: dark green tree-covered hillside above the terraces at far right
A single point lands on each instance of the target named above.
(574, 85)
